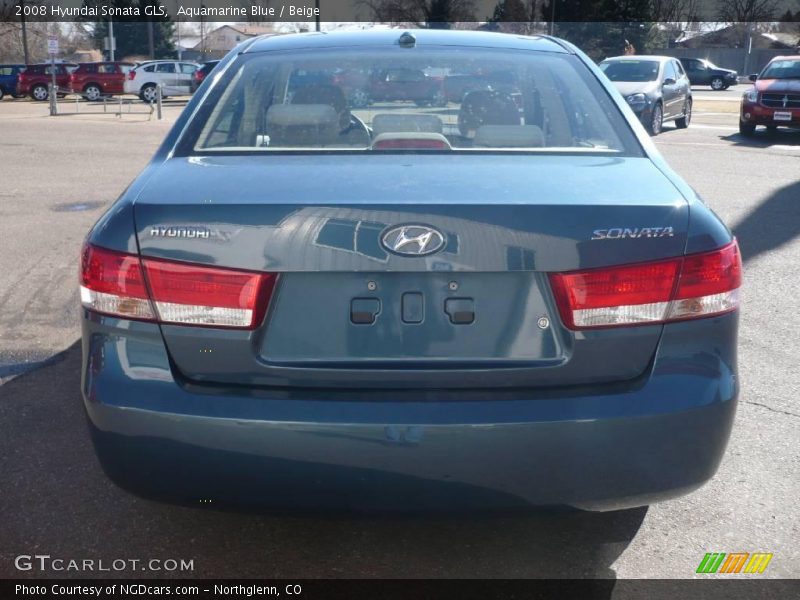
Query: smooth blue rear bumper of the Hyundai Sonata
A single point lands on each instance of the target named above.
(605, 448)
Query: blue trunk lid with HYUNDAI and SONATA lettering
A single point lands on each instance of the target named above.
(477, 313)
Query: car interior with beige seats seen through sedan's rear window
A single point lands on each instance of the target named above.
(279, 107)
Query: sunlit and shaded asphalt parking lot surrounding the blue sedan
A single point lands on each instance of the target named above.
(59, 174)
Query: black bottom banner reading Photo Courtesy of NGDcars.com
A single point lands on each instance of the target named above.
(483, 589)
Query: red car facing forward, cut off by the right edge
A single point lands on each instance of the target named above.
(774, 100)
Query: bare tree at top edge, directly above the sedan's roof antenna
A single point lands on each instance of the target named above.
(420, 13)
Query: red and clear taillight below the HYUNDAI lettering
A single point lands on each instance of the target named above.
(171, 292)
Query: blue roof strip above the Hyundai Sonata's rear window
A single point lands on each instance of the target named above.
(424, 37)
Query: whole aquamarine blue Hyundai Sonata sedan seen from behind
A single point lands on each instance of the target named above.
(507, 301)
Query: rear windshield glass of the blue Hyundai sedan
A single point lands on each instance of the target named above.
(394, 100)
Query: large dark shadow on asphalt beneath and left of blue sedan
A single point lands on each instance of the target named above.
(57, 501)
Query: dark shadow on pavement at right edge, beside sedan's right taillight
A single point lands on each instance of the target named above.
(774, 222)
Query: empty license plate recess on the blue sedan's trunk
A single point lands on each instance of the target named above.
(426, 320)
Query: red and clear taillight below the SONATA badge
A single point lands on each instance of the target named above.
(698, 285)
